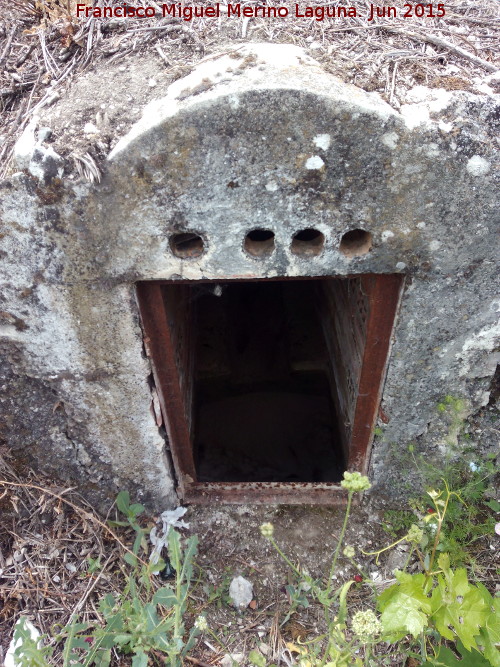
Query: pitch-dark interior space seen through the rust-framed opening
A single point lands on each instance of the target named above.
(263, 388)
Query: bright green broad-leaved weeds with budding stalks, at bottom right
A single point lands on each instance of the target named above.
(431, 607)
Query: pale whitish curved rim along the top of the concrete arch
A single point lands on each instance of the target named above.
(251, 68)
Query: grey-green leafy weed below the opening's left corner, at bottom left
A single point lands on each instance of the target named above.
(140, 620)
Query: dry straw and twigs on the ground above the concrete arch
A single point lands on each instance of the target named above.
(43, 46)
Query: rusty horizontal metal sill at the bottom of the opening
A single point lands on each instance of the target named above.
(286, 493)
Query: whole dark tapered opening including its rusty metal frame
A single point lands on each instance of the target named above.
(269, 388)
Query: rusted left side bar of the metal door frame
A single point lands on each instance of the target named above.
(160, 350)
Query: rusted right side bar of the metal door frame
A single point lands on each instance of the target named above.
(384, 292)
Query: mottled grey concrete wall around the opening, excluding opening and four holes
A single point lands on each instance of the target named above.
(259, 137)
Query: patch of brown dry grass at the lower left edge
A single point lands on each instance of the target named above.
(47, 537)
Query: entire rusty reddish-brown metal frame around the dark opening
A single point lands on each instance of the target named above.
(384, 294)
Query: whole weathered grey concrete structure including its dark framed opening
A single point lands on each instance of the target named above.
(257, 165)
